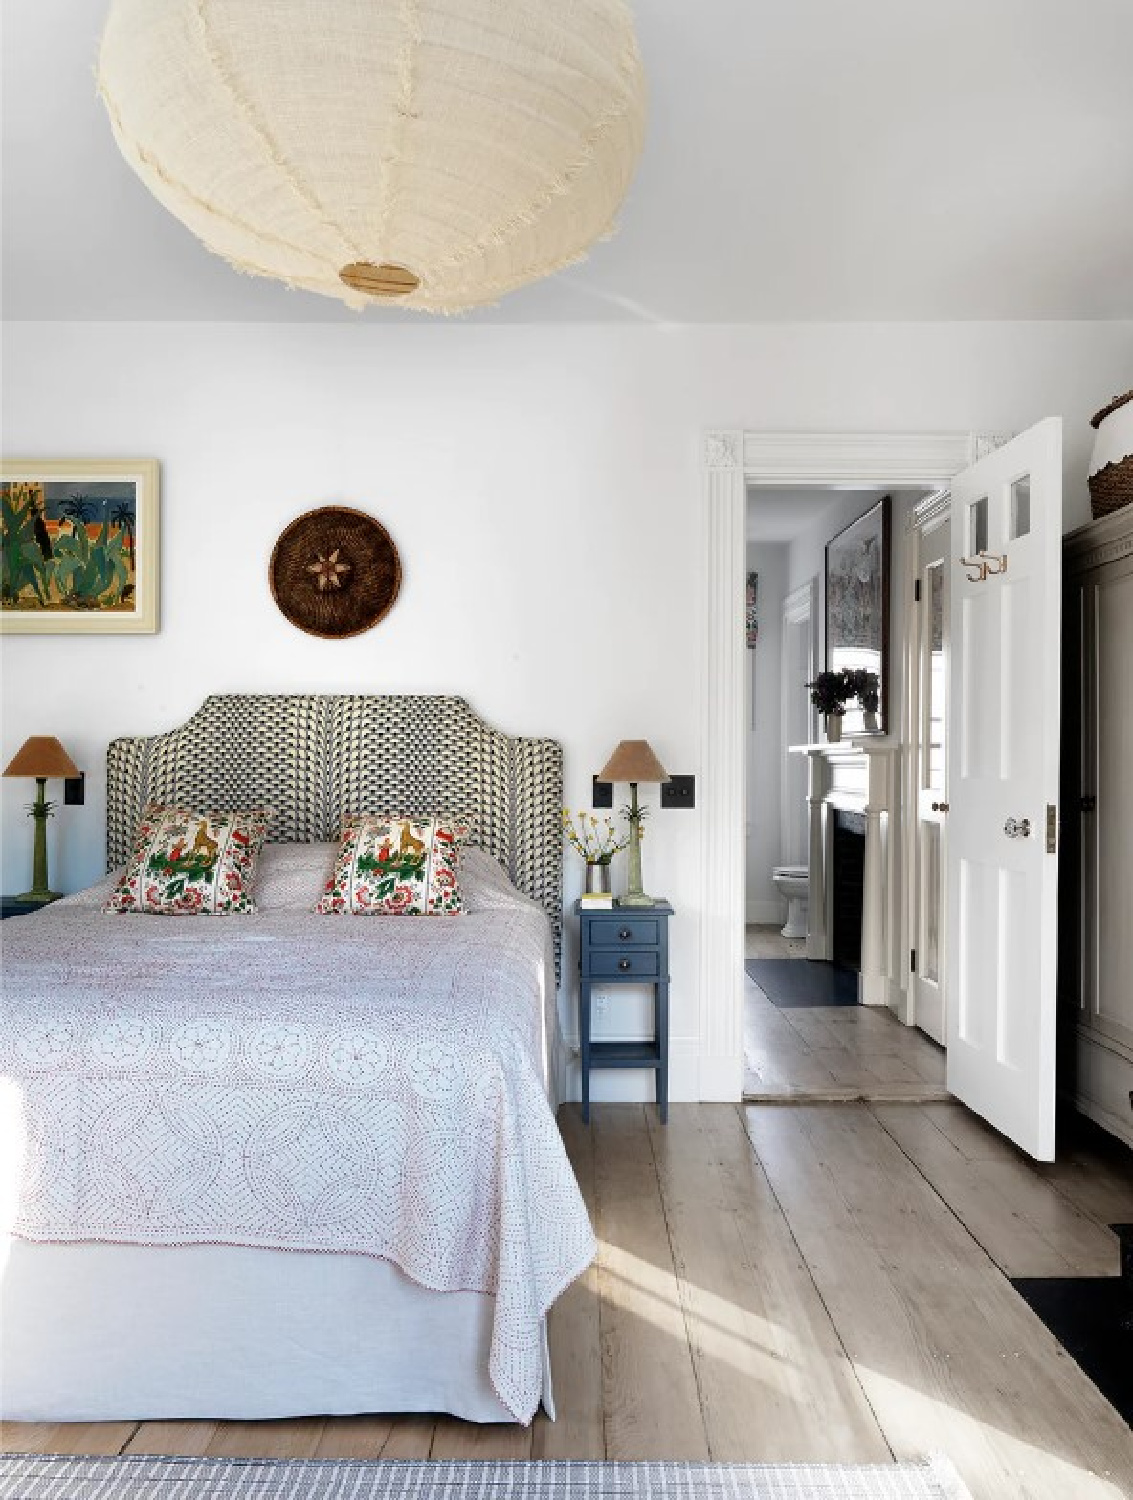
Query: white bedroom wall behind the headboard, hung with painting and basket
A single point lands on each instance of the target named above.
(542, 485)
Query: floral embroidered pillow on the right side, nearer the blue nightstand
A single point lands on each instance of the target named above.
(397, 866)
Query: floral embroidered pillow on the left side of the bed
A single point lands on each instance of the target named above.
(190, 862)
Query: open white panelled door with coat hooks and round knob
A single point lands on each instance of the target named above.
(1003, 785)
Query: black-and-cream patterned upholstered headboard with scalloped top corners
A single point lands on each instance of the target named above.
(316, 758)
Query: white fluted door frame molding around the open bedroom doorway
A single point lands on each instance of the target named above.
(732, 460)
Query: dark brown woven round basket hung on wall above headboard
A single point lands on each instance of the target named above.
(335, 572)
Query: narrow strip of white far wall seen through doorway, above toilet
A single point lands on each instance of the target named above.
(766, 736)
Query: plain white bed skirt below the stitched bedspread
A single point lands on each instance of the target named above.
(125, 1333)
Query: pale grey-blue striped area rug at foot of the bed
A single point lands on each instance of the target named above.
(47, 1477)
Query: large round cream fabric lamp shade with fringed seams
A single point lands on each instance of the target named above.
(431, 154)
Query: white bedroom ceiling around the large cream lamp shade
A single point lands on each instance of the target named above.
(807, 160)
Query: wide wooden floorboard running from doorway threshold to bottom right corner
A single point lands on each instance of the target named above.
(948, 1354)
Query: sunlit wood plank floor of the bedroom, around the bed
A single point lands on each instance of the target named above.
(825, 1282)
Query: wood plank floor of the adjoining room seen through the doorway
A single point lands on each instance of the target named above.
(832, 1054)
